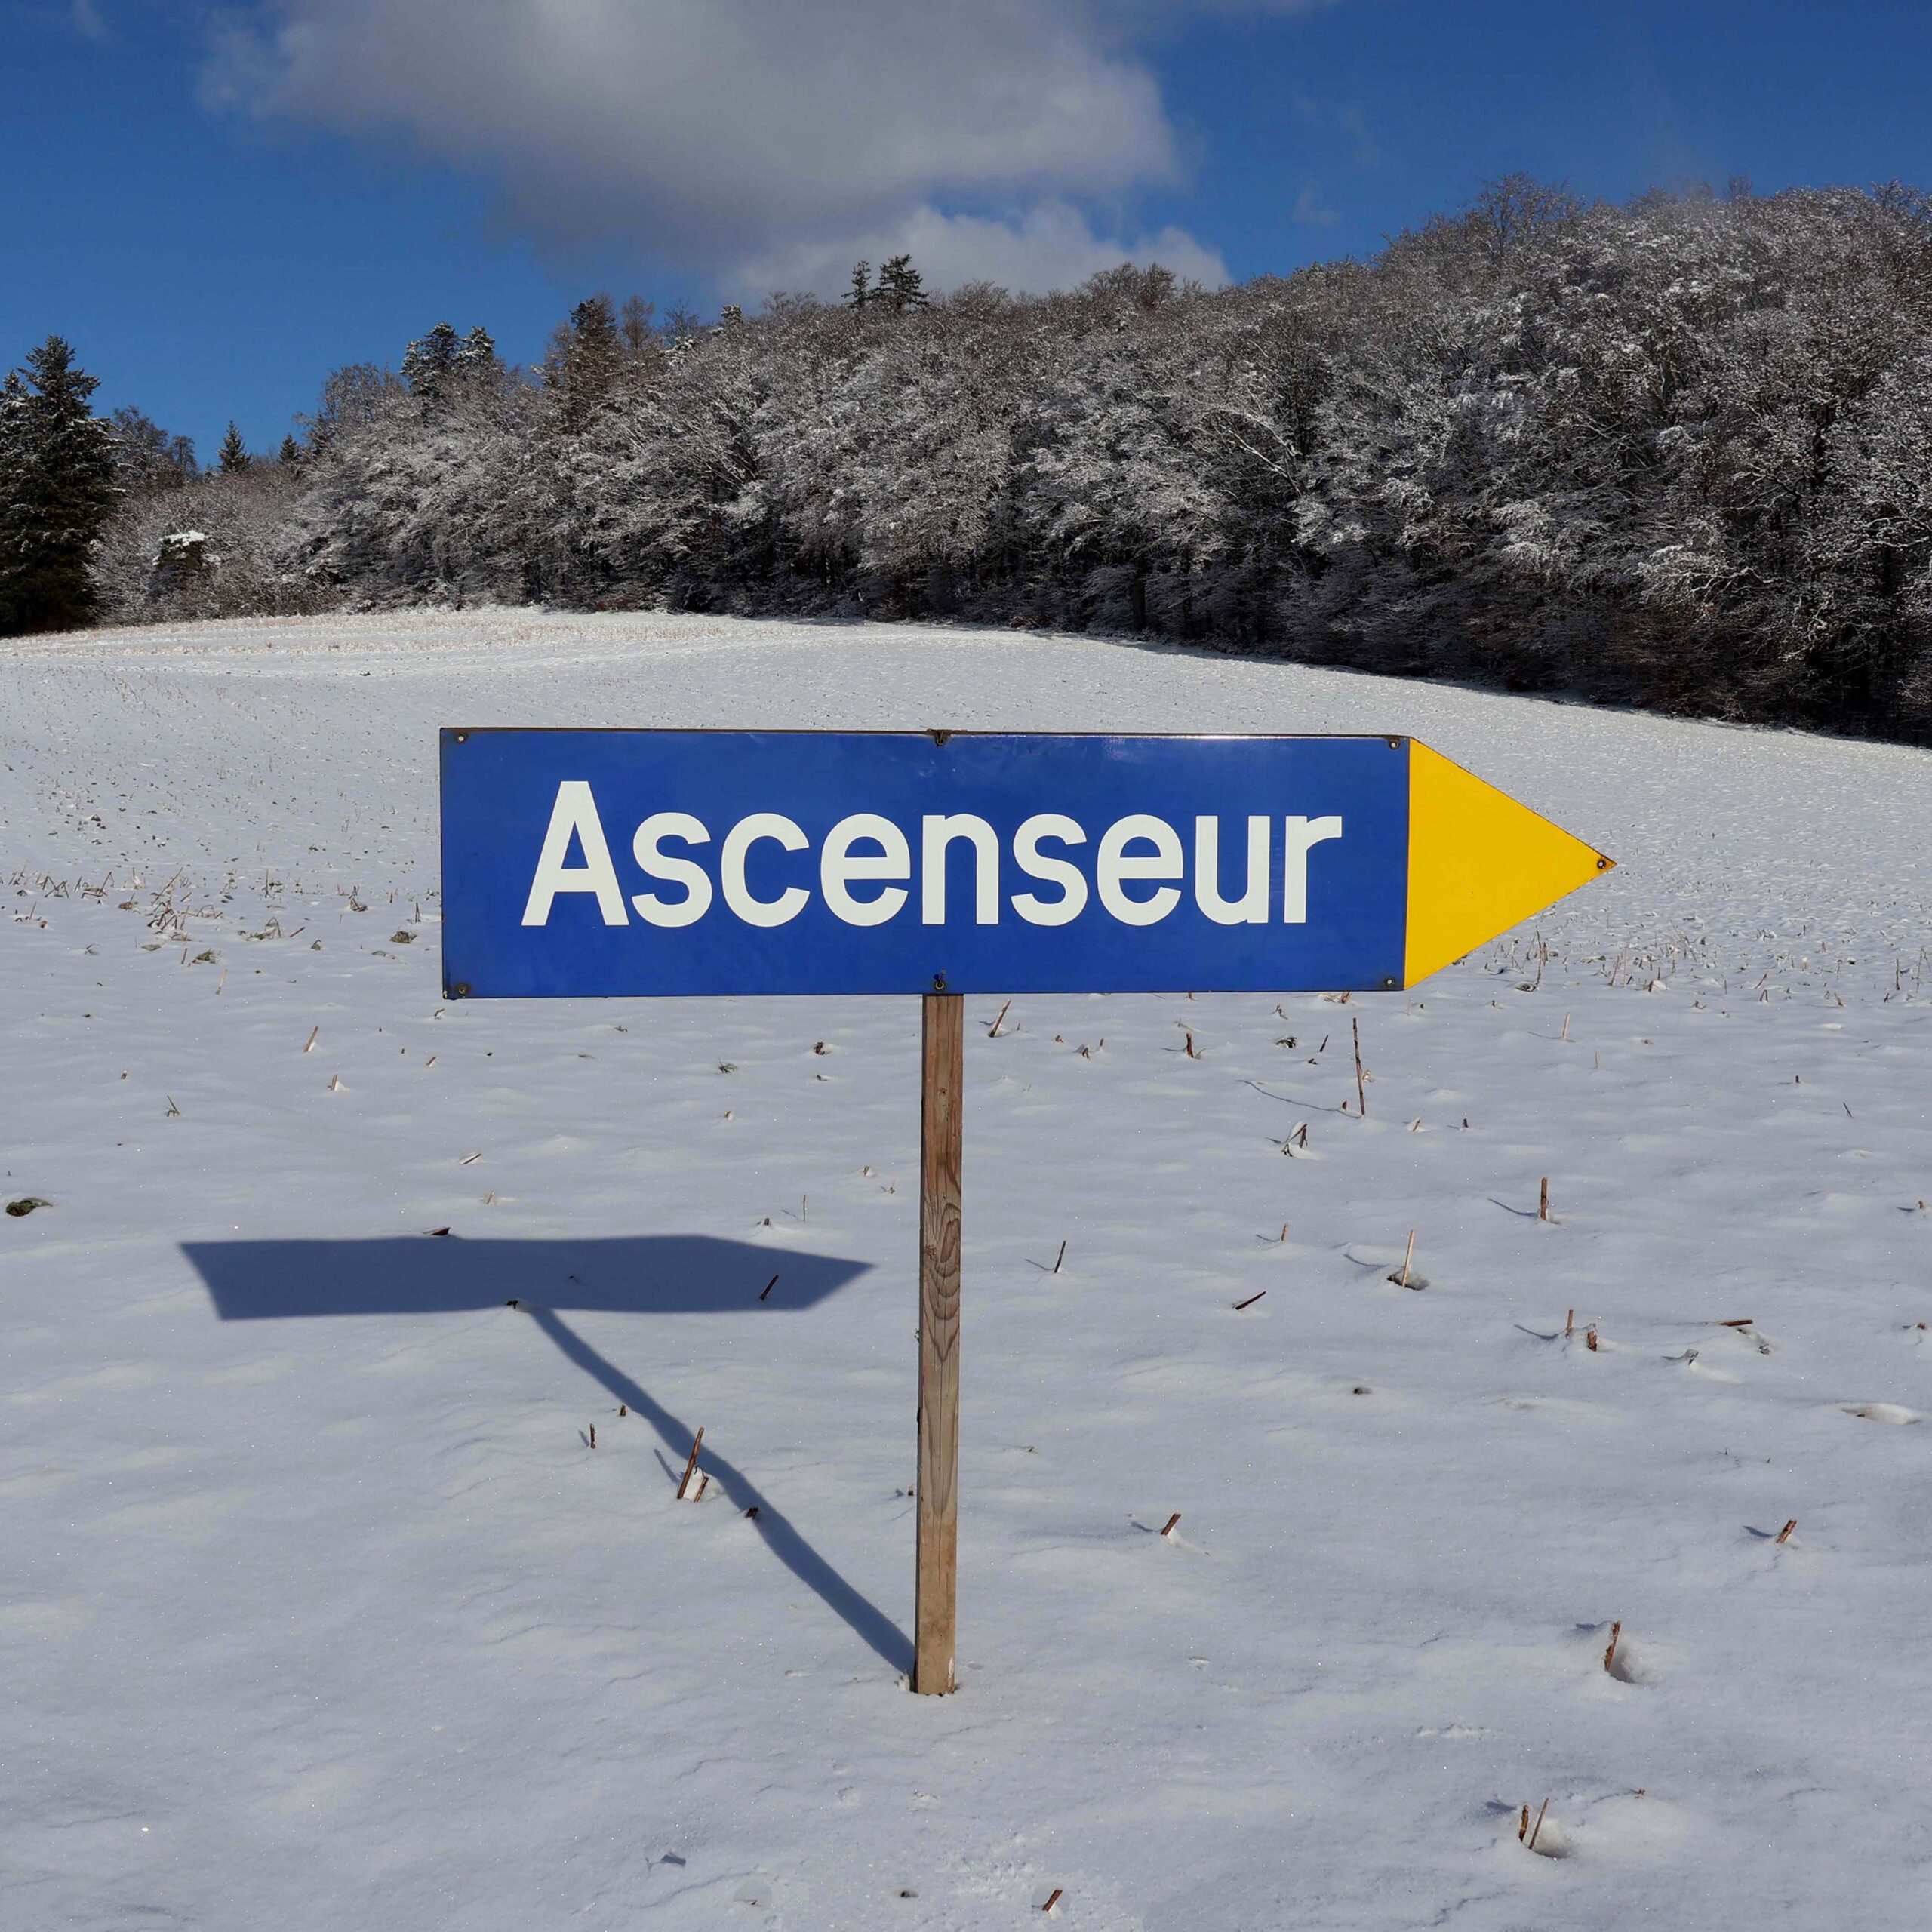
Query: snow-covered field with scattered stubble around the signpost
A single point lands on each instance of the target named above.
(320, 1610)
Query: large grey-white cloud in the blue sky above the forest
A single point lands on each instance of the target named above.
(762, 142)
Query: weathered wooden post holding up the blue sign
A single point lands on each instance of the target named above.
(936, 1597)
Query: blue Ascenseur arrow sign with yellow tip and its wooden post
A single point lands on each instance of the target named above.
(596, 865)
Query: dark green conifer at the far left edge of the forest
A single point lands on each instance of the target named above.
(57, 488)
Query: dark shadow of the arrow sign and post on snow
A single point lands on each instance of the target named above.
(644, 1274)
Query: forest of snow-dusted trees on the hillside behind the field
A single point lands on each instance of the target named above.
(1676, 453)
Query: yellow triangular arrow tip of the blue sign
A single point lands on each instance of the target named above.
(1479, 863)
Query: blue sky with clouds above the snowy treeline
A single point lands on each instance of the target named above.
(221, 206)
